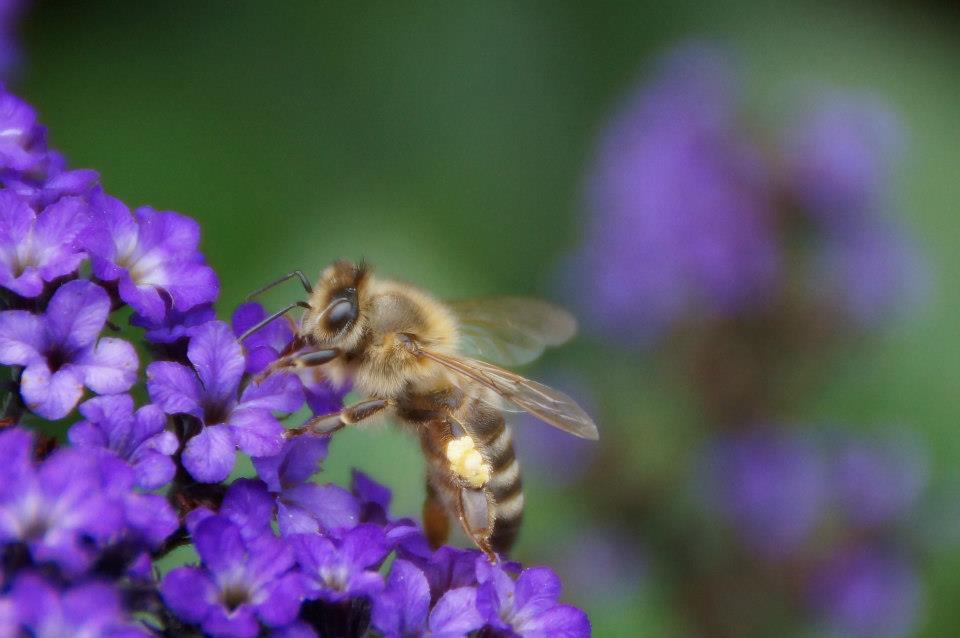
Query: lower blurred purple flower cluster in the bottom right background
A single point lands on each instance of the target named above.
(837, 505)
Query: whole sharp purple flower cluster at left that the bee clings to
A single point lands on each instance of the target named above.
(83, 526)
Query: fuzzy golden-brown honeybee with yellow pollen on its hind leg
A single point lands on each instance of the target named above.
(432, 366)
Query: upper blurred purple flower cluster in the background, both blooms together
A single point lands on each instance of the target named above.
(691, 217)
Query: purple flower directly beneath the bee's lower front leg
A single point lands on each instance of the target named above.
(304, 507)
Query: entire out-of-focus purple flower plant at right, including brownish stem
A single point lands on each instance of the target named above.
(745, 252)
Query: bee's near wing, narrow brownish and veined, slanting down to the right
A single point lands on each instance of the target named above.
(550, 405)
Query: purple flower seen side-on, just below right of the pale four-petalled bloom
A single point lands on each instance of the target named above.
(138, 438)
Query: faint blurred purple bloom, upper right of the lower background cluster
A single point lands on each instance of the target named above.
(879, 480)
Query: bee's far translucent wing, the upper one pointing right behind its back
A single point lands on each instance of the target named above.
(510, 331)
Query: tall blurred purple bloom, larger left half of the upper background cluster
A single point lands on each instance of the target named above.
(679, 218)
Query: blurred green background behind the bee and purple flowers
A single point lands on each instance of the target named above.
(446, 143)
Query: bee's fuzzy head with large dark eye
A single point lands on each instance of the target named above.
(336, 305)
